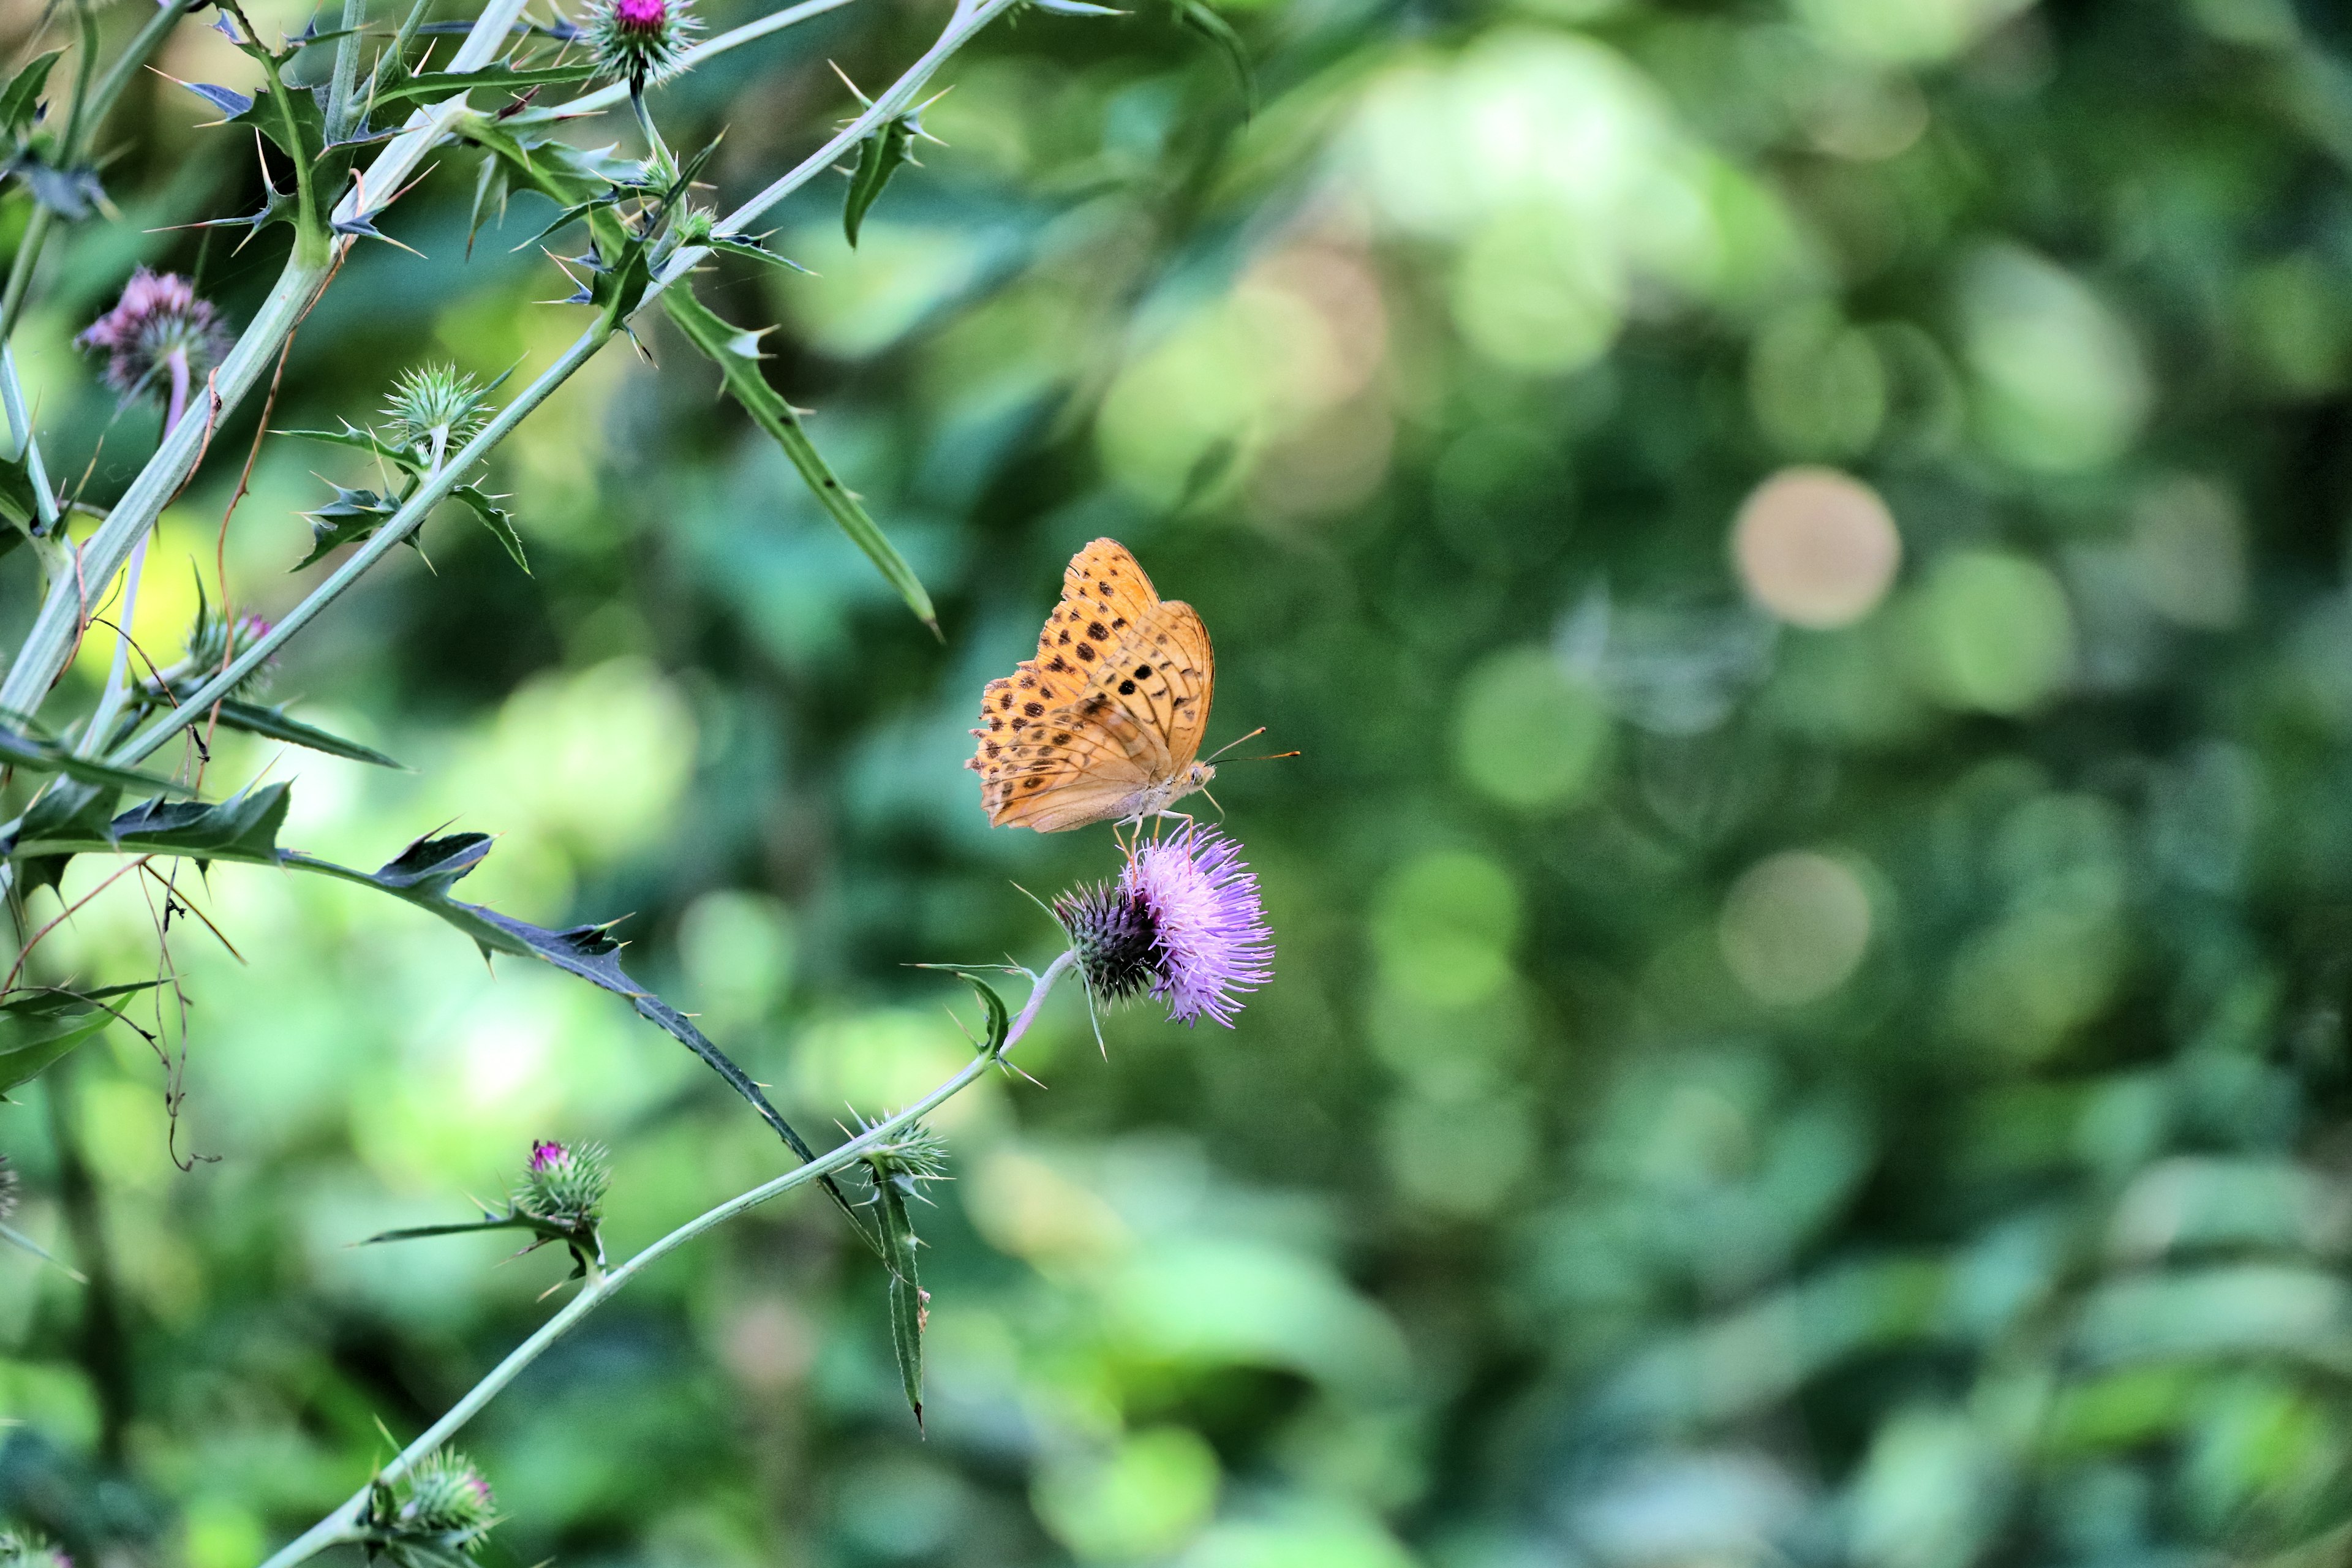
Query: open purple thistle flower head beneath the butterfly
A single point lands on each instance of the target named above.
(1182, 923)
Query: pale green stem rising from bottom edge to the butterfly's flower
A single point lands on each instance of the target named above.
(342, 1525)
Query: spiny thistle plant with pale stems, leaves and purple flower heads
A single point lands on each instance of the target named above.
(128, 777)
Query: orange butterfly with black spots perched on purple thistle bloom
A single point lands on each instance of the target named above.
(1107, 723)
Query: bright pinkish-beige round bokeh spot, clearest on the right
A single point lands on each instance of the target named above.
(1817, 547)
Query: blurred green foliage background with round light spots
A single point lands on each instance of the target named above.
(1803, 544)
